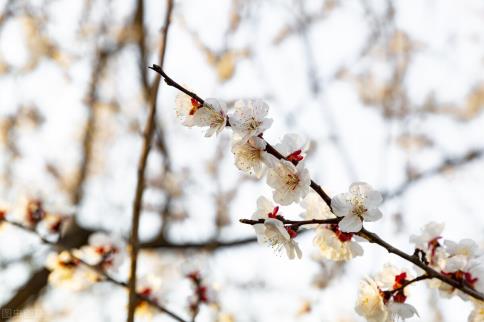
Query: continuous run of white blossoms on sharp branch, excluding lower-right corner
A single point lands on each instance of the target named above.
(287, 176)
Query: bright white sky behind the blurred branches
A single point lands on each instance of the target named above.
(253, 283)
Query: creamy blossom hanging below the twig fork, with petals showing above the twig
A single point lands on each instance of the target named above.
(332, 243)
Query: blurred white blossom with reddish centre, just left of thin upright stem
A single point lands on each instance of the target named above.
(105, 251)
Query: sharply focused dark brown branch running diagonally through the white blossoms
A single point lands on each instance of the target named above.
(371, 237)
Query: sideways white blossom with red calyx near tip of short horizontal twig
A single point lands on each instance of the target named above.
(272, 232)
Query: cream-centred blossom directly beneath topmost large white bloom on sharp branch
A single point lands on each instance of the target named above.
(251, 157)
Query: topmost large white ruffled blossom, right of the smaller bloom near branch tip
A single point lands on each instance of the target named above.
(249, 119)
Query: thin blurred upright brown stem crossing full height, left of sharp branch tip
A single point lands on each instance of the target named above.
(147, 139)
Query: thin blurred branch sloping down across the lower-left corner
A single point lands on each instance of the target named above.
(96, 268)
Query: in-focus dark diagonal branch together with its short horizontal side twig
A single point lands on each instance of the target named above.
(370, 236)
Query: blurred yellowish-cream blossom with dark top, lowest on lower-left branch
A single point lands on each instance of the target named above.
(67, 271)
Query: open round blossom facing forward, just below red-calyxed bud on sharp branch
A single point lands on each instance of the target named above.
(290, 182)
